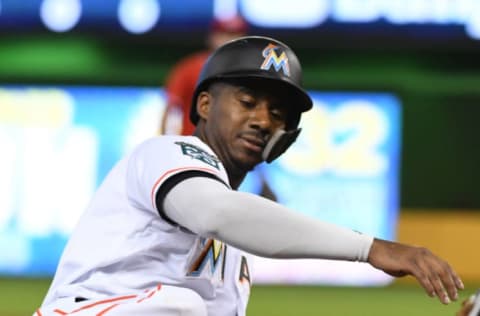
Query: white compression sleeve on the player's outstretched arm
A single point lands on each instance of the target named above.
(257, 225)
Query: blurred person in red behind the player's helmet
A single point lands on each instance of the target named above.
(182, 79)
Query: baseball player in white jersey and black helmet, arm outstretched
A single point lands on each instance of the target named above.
(166, 230)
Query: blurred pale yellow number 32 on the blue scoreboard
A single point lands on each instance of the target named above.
(346, 139)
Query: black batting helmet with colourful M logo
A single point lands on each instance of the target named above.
(255, 57)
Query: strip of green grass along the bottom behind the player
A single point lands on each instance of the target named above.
(20, 297)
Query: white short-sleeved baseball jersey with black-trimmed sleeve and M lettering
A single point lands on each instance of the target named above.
(122, 243)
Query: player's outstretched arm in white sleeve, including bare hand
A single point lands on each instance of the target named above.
(262, 227)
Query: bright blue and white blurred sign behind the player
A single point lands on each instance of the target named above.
(60, 142)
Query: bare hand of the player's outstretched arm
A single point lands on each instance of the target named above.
(434, 274)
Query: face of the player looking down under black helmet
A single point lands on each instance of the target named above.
(241, 120)
